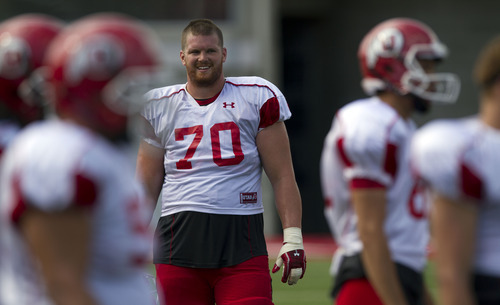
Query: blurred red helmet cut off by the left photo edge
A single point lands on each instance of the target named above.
(23, 42)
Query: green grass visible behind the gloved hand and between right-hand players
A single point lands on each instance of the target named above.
(314, 288)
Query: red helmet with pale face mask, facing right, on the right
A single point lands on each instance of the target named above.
(389, 58)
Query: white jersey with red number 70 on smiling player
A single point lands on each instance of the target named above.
(212, 164)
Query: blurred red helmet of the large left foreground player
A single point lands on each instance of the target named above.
(99, 67)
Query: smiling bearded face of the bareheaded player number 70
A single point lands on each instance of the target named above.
(203, 56)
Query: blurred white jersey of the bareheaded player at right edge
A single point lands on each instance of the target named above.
(460, 158)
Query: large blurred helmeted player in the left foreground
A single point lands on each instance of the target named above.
(75, 219)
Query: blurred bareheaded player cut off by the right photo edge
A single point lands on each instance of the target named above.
(459, 161)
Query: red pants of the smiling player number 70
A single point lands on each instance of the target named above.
(248, 283)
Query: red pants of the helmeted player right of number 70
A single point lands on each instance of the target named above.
(357, 292)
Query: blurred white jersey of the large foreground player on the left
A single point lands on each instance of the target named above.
(52, 165)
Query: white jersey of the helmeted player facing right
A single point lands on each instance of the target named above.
(369, 143)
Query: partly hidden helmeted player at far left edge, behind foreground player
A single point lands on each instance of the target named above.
(23, 42)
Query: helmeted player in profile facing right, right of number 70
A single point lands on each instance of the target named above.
(375, 206)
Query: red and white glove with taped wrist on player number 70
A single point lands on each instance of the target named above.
(292, 256)
